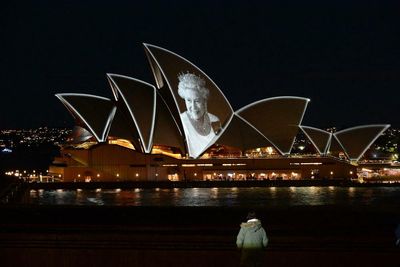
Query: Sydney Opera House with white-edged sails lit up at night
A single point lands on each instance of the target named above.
(184, 129)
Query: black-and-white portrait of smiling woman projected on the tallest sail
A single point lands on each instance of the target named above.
(199, 125)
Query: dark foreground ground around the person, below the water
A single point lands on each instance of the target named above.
(199, 236)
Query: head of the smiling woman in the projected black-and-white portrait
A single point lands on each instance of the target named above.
(192, 89)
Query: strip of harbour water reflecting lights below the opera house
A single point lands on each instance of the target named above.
(259, 197)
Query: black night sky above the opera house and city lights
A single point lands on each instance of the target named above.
(344, 56)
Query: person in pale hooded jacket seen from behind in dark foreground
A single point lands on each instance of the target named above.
(251, 240)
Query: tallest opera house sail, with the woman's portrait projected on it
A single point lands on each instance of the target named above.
(202, 108)
